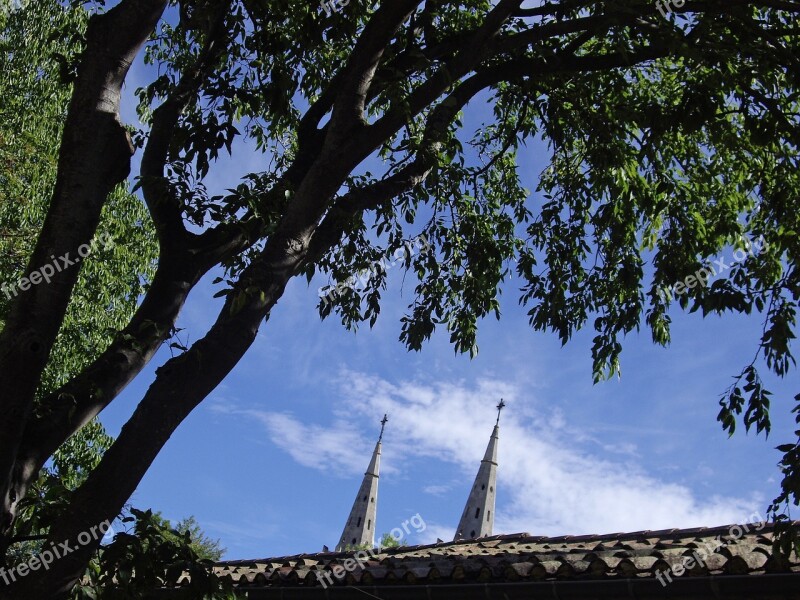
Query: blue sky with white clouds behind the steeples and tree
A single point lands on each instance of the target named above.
(271, 461)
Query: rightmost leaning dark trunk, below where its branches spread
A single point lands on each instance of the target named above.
(180, 385)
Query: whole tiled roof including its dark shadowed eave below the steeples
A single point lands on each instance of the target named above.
(732, 563)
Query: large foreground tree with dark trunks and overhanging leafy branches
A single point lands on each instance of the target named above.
(673, 136)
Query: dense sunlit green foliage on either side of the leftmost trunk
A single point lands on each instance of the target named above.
(39, 45)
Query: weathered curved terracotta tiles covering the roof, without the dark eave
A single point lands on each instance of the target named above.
(522, 558)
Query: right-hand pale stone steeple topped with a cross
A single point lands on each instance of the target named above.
(478, 516)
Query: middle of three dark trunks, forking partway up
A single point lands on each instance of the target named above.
(67, 409)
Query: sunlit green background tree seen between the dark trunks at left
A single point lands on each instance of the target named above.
(38, 44)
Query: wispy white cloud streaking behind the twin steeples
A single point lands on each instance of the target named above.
(552, 480)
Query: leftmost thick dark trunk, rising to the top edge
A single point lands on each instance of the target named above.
(94, 157)
